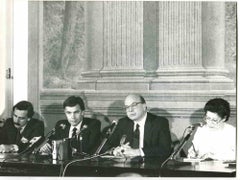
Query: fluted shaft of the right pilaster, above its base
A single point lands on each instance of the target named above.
(180, 32)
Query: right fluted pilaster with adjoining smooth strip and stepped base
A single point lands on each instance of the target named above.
(191, 47)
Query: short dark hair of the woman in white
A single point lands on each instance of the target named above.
(219, 106)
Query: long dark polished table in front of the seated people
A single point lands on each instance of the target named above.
(108, 166)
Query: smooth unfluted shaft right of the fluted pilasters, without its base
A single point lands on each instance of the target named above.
(213, 36)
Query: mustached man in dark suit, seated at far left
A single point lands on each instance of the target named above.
(21, 131)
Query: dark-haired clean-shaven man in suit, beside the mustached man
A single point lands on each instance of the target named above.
(84, 132)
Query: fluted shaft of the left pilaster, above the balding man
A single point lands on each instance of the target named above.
(123, 38)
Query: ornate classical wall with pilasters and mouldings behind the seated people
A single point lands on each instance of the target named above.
(109, 58)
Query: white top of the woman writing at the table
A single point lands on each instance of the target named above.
(221, 143)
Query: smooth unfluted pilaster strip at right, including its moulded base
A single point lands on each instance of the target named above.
(213, 49)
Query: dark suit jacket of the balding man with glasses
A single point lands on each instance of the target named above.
(157, 139)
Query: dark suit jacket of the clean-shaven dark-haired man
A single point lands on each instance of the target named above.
(90, 136)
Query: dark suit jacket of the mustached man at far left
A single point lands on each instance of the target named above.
(34, 128)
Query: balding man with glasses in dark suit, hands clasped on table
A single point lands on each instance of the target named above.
(146, 134)
